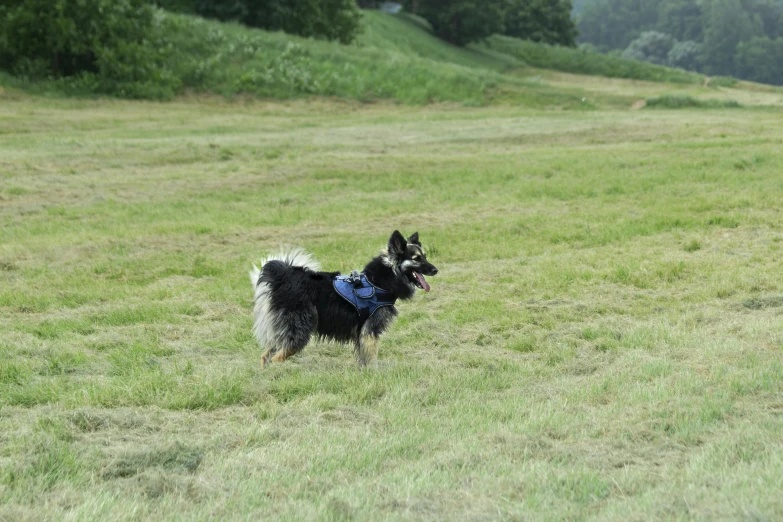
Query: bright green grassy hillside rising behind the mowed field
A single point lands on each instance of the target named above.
(395, 58)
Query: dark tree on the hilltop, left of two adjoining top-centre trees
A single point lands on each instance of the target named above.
(461, 21)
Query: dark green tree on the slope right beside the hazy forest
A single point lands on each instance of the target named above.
(547, 21)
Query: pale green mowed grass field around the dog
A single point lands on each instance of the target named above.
(604, 340)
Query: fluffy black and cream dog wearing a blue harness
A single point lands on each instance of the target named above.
(295, 300)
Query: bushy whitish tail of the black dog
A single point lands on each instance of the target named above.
(265, 319)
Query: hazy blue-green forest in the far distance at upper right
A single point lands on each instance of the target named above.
(742, 38)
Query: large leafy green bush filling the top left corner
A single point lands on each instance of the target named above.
(106, 46)
